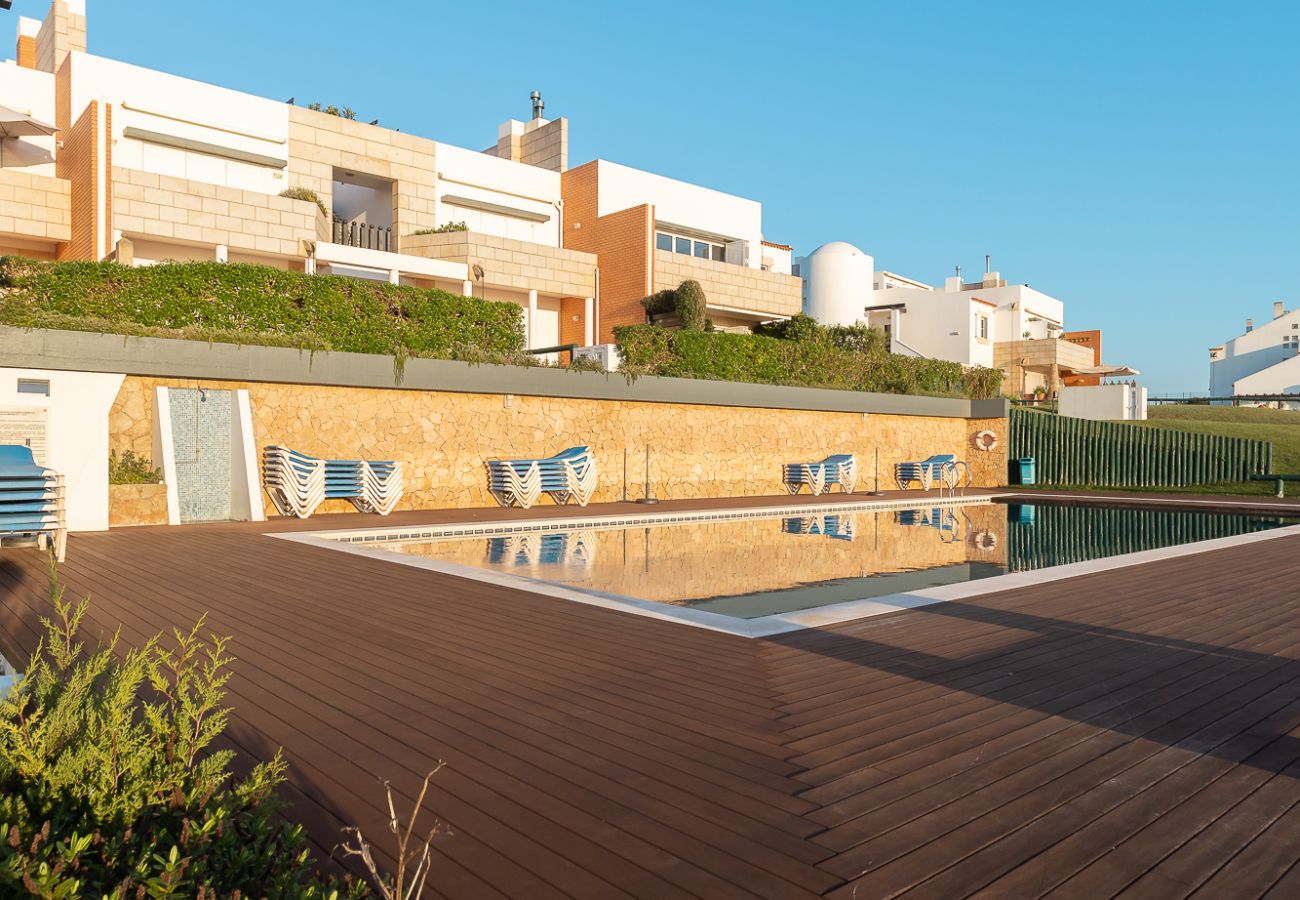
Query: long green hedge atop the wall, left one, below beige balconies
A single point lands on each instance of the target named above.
(259, 305)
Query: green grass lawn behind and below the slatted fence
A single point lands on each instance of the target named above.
(1281, 427)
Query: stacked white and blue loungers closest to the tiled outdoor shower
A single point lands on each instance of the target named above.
(298, 483)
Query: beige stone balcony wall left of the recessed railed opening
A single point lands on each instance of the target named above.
(148, 205)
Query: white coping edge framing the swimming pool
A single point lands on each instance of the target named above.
(363, 543)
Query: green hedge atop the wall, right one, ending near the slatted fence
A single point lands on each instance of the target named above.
(809, 364)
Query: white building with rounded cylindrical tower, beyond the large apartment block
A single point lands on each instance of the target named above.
(986, 323)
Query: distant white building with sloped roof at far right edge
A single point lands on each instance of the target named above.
(1260, 361)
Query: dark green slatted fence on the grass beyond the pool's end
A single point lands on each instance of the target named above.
(1081, 452)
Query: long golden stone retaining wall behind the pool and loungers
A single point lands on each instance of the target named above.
(445, 438)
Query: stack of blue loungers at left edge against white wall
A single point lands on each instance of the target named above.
(32, 501)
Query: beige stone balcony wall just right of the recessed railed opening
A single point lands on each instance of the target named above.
(513, 265)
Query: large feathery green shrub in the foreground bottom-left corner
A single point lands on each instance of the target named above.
(110, 785)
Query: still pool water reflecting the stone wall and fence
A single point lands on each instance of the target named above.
(756, 568)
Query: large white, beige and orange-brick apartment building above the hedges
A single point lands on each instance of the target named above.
(150, 167)
